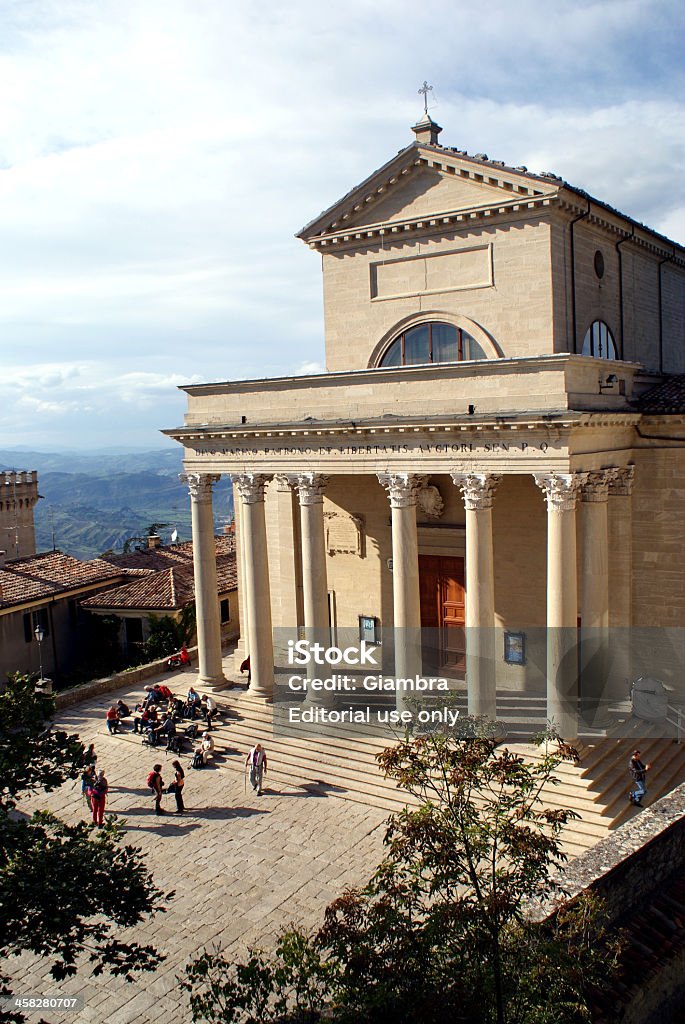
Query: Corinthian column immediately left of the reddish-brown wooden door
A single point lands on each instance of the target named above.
(402, 489)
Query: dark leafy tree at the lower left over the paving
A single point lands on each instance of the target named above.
(65, 891)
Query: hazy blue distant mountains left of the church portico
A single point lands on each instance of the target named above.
(96, 502)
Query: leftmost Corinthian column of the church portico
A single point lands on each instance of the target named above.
(206, 588)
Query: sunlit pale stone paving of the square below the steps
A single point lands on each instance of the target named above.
(242, 867)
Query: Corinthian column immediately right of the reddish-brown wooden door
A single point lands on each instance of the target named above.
(479, 491)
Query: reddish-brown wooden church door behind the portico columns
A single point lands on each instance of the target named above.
(443, 614)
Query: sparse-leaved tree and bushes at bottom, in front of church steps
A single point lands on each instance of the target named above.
(443, 931)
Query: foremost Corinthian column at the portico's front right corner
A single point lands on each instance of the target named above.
(561, 492)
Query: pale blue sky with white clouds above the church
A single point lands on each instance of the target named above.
(157, 158)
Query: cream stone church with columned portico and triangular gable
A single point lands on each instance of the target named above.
(488, 484)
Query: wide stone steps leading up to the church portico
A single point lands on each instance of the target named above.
(344, 764)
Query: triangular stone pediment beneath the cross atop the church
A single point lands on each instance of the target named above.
(429, 182)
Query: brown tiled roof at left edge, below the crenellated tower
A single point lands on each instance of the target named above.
(41, 577)
